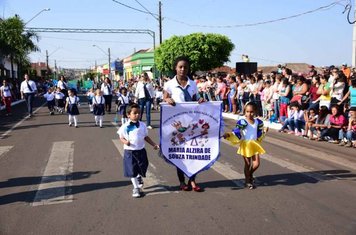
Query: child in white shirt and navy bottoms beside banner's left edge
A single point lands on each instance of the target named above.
(133, 135)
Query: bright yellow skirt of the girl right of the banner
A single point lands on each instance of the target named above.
(248, 148)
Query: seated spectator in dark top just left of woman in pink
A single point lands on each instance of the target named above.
(321, 125)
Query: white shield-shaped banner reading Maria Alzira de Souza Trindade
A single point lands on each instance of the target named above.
(190, 135)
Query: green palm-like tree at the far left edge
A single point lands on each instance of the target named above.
(16, 43)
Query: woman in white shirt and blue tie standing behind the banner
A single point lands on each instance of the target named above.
(182, 89)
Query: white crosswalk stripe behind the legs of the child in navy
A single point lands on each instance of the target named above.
(152, 184)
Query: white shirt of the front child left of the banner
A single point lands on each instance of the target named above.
(136, 137)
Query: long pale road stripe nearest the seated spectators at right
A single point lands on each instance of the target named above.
(313, 153)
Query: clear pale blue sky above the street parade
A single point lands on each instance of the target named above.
(321, 38)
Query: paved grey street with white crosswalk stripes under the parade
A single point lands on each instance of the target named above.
(56, 179)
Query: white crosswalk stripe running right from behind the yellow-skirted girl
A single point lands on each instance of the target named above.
(289, 165)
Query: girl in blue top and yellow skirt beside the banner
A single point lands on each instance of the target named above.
(249, 133)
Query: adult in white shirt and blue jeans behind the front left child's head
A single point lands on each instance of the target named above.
(145, 94)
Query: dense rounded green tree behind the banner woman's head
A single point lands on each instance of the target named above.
(205, 51)
